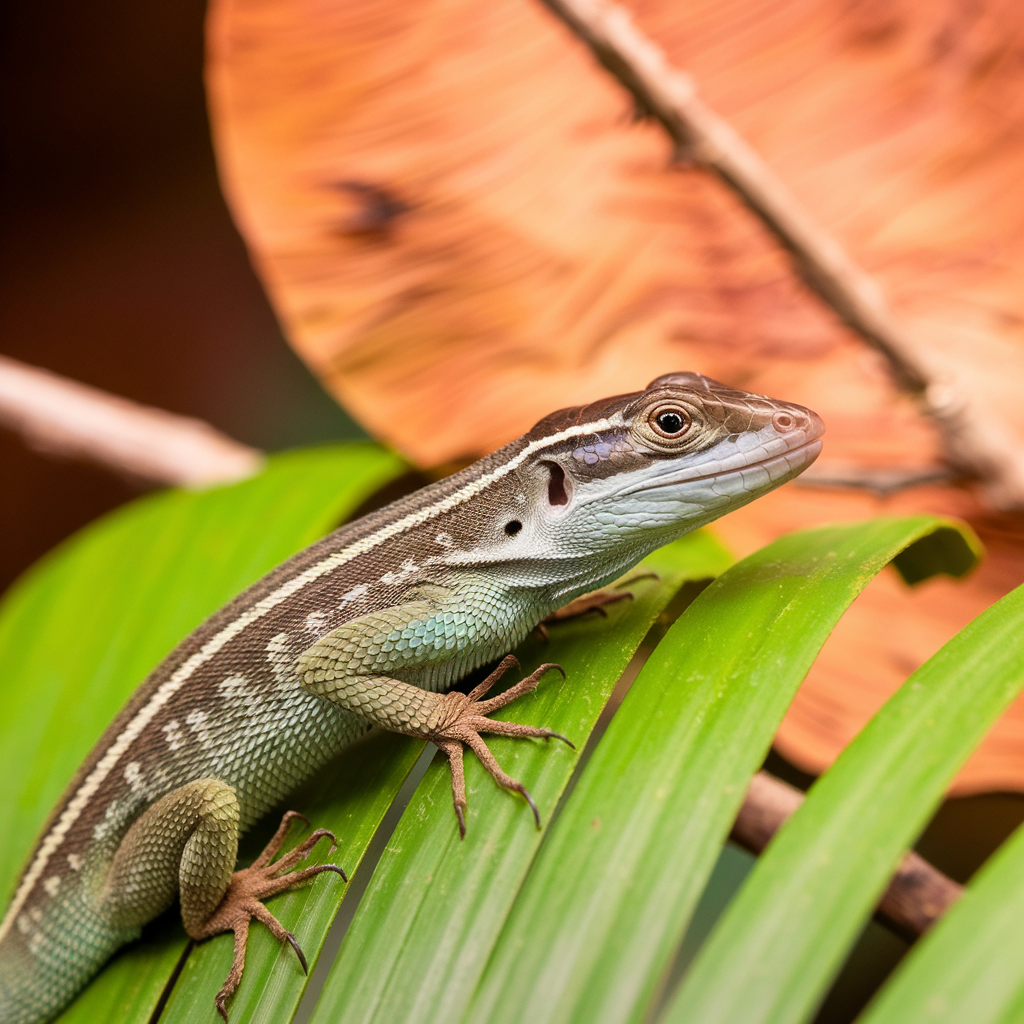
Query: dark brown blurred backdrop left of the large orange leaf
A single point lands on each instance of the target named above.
(121, 267)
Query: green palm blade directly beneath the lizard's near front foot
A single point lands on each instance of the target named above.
(422, 934)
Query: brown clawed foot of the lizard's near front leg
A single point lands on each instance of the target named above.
(462, 718)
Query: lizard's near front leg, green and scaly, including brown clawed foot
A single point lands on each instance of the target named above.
(352, 667)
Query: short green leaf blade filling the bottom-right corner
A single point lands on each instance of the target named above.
(970, 968)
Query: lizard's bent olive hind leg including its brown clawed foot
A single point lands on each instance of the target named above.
(187, 844)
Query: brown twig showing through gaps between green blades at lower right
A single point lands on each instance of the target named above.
(918, 895)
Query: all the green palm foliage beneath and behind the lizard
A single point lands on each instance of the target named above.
(581, 921)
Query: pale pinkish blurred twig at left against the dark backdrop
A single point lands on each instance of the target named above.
(64, 417)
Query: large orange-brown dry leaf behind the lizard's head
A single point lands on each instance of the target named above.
(462, 230)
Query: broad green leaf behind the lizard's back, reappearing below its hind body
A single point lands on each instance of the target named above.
(87, 625)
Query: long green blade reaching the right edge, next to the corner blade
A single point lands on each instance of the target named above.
(784, 938)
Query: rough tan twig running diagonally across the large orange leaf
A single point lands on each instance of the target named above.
(974, 444)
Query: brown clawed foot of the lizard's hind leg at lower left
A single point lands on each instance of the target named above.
(250, 886)
